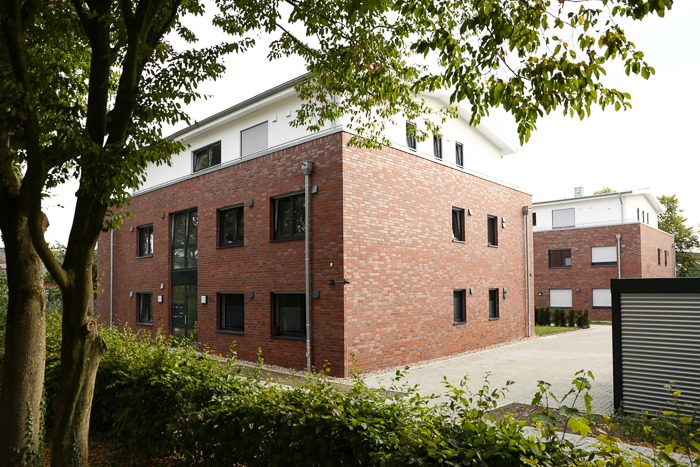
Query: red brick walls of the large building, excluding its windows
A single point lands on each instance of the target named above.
(380, 219)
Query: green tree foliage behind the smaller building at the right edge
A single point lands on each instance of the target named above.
(686, 240)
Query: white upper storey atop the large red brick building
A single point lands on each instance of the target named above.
(272, 112)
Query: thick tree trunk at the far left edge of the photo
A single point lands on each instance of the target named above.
(25, 344)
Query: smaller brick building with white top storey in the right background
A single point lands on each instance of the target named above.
(583, 242)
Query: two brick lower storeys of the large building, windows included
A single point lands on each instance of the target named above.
(411, 257)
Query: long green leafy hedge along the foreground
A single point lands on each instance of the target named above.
(167, 399)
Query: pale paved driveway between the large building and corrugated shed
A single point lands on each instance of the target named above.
(554, 359)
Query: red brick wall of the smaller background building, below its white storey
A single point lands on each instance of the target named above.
(641, 246)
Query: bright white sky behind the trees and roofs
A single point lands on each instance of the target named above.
(652, 146)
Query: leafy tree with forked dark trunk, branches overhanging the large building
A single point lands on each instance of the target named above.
(86, 85)
